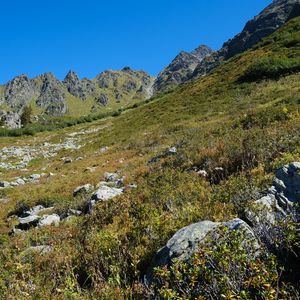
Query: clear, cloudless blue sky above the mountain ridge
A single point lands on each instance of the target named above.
(93, 35)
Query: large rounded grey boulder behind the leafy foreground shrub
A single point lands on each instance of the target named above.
(188, 240)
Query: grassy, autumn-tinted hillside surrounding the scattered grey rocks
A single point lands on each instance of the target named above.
(246, 126)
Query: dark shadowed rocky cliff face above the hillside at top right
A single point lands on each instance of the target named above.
(268, 21)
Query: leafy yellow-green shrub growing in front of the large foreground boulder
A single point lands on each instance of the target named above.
(223, 268)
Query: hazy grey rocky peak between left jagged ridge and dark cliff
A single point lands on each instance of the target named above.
(180, 69)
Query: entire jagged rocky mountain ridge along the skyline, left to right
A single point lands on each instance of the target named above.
(114, 90)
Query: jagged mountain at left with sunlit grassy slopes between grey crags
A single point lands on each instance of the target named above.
(73, 96)
